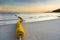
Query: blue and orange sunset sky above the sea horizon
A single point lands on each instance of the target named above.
(29, 5)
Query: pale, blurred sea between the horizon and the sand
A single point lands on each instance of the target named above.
(9, 17)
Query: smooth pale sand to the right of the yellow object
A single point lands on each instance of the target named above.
(44, 30)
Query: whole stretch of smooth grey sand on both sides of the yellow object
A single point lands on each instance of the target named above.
(41, 30)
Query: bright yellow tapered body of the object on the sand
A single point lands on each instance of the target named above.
(19, 29)
